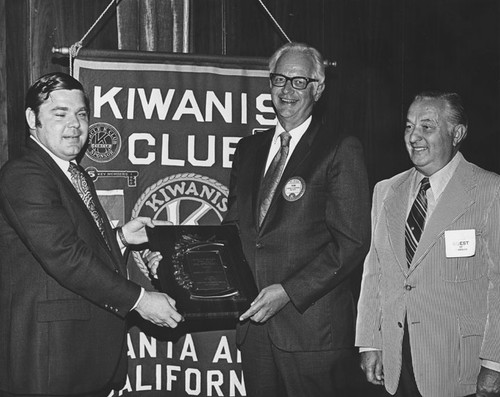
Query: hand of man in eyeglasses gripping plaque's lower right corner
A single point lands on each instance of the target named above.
(269, 302)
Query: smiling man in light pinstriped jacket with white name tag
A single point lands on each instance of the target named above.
(429, 310)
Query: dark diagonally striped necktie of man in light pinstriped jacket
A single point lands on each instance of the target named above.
(416, 220)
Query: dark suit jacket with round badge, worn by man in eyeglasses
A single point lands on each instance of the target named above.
(310, 245)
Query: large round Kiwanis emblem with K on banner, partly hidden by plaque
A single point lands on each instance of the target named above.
(183, 199)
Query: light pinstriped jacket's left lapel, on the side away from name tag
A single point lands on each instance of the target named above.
(395, 207)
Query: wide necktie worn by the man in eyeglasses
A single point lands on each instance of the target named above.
(273, 176)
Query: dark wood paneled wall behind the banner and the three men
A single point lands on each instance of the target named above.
(386, 51)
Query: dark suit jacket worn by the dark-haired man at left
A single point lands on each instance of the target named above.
(63, 292)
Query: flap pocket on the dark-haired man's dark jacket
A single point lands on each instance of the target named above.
(63, 310)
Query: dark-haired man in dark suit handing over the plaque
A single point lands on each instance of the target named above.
(64, 291)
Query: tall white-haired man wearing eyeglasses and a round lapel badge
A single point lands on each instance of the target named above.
(299, 194)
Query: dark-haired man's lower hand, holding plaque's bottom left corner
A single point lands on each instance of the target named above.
(159, 309)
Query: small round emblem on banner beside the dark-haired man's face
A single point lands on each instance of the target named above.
(104, 142)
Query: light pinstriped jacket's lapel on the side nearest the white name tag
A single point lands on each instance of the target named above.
(453, 203)
